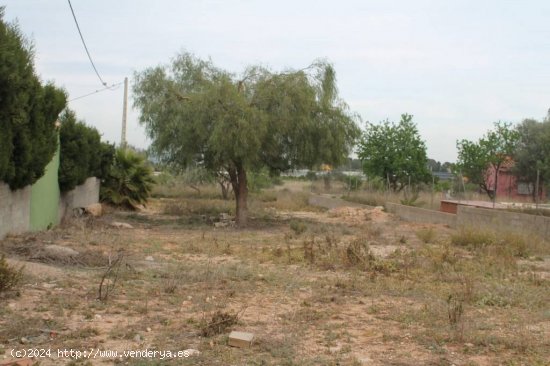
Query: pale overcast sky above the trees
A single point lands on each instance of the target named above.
(458, 66)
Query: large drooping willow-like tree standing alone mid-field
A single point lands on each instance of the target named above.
(198, 114)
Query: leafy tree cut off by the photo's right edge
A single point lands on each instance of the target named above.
(532, 156)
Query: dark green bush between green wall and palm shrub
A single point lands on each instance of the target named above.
(83, 155)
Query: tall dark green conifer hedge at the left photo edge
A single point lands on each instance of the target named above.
(28, 111)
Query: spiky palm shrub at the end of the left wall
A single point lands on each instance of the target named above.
(130, 181)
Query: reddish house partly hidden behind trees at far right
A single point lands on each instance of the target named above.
(508, 186)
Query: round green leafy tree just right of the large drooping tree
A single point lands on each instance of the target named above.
(395, 153)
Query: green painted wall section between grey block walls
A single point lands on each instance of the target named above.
(45, 197)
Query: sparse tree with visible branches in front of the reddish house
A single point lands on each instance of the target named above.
(475, 159)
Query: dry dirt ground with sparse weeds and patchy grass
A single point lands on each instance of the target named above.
(344, 286)
